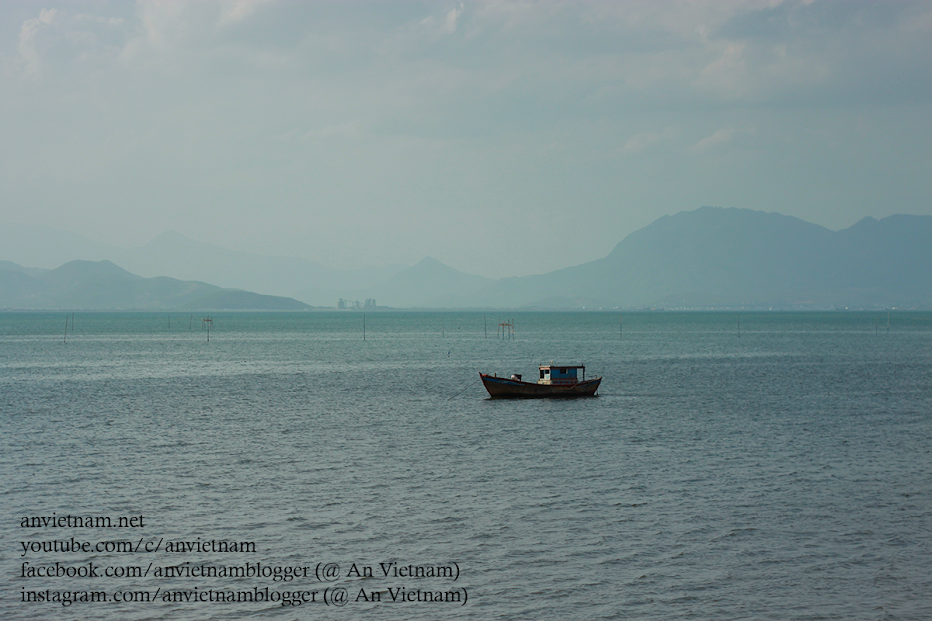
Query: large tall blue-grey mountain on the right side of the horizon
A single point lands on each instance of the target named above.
(714, 257)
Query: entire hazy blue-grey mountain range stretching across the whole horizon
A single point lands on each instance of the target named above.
(706, 258)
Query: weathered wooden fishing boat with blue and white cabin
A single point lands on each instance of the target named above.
(554, 381)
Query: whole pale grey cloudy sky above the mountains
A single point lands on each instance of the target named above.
(502, 138)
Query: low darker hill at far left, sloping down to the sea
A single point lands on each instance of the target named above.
(102, 285)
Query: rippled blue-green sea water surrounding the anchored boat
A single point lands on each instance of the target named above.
(772, 466)
